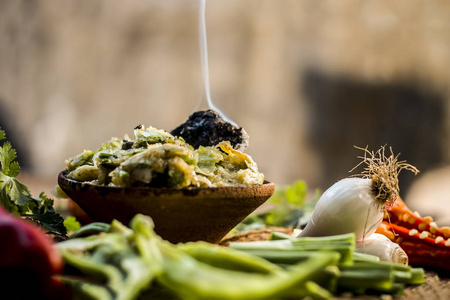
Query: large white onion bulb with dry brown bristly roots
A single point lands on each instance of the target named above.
(357, 204)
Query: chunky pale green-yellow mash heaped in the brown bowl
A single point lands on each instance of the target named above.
(156, 158)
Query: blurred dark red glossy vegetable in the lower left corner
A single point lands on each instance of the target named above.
(28, 260)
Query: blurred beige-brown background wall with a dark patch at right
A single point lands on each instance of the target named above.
(308, 80)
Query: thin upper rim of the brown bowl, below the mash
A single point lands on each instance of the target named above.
(62, 176)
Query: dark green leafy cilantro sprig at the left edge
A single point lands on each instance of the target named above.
(17, 199)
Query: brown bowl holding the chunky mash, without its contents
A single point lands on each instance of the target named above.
(180, 215)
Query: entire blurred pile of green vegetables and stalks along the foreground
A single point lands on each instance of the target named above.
(112, 261)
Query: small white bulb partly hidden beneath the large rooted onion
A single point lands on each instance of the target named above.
(381, 246)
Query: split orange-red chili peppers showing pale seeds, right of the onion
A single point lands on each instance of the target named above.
(425, 243)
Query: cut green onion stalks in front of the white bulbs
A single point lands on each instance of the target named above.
(353, 272)
